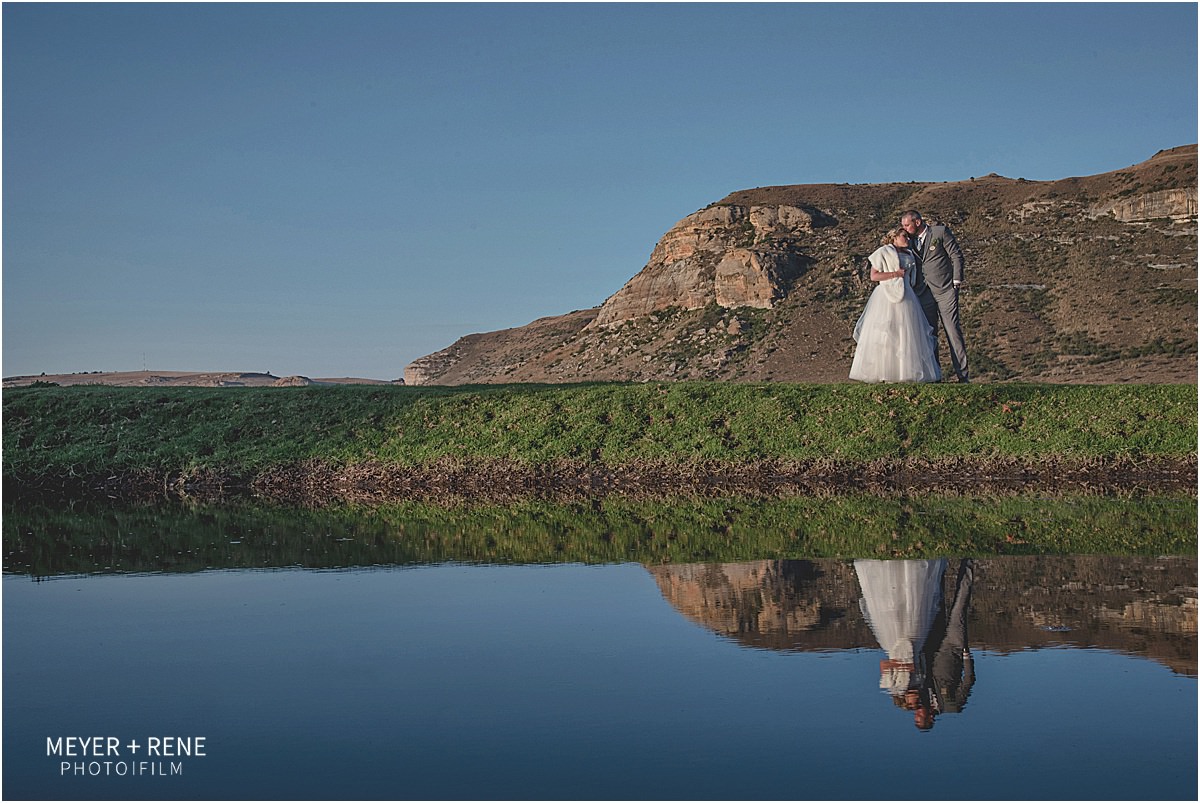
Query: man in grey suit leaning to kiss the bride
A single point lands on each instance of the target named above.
(939, 278)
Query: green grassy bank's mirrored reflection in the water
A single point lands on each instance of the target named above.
(52, 541)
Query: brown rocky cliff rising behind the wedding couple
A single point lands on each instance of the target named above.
(1087, 279)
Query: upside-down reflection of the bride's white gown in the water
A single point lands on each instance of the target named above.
(901, 600)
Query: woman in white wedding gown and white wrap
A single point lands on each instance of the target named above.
(896, 343)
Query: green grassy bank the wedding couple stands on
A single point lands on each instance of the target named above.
(91, 434)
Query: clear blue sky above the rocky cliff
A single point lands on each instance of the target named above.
(337, 190)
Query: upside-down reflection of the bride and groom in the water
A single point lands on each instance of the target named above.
(929, 669)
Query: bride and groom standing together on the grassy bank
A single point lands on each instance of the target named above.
(920, 269)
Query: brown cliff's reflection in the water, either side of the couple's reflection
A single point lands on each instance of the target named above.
(1143, 607)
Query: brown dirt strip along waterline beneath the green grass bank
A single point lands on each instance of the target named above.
(317, 483)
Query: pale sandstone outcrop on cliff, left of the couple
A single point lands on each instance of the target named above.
(729, 255)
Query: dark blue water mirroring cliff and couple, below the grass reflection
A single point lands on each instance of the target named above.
(1019, 678)
